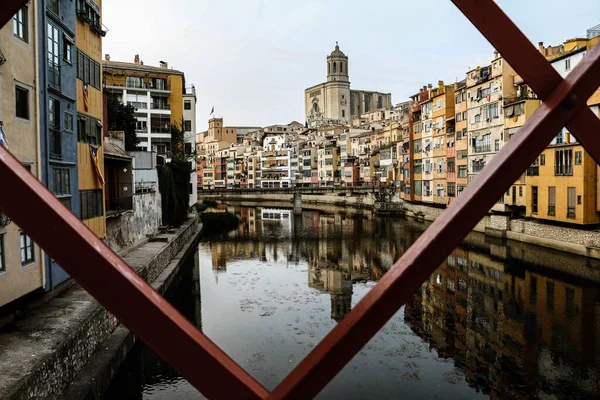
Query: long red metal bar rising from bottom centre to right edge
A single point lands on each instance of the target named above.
(426, 254)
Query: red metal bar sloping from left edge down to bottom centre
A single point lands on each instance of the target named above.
(114, 284)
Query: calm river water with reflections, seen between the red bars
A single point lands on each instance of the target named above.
(495, 320)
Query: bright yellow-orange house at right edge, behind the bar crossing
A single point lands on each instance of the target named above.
(562, 184)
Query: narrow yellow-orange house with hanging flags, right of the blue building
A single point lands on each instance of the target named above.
(90, 149)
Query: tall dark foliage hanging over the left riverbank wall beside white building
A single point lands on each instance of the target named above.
(173, 183)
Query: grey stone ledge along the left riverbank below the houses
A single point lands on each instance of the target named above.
(42, 353)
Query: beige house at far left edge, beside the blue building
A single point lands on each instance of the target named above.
(21, 261)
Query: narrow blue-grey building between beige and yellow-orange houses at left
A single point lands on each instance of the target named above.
(58, 111)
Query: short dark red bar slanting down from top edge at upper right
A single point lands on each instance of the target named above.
(514, 46)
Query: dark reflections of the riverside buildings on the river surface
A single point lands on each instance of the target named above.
(517, 320)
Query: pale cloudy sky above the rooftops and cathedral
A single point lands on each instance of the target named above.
(252, 59)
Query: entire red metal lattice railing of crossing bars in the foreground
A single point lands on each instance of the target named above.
(201, 362)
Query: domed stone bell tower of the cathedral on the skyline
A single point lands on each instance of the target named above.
(338, 86)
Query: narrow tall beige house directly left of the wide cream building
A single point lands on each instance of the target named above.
(461, 143)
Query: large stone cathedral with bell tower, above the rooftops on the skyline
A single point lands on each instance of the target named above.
(333, 102)
